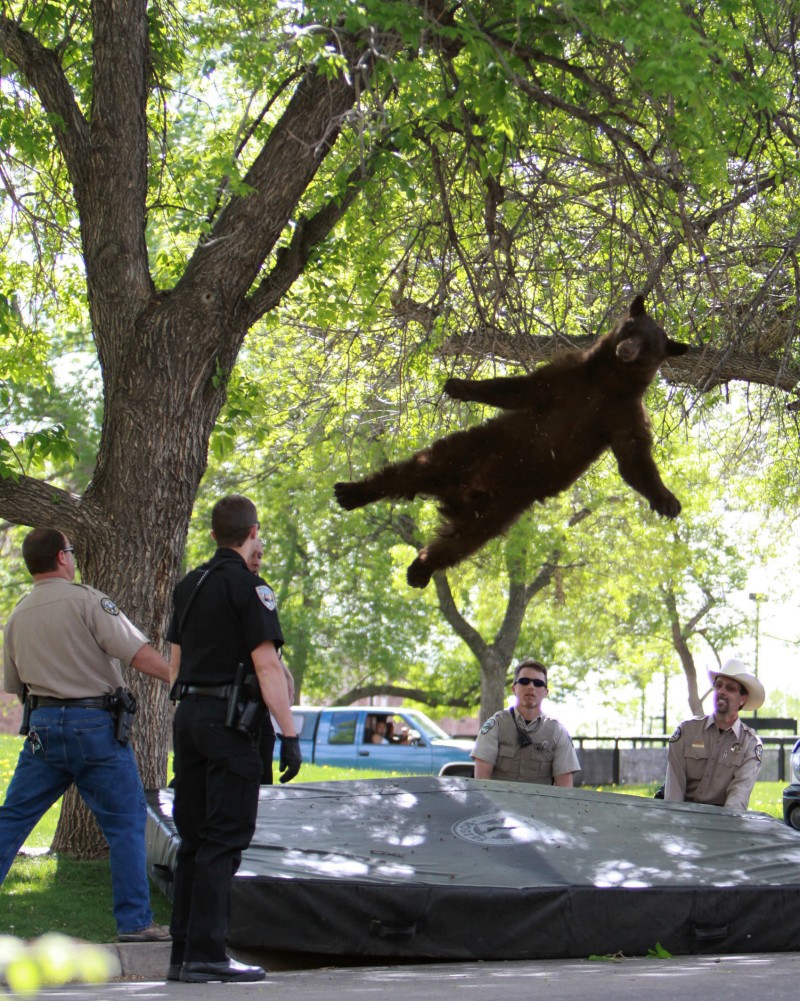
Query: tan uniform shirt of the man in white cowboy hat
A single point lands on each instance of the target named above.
(706, 766)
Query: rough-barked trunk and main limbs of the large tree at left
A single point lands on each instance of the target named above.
(166, 356)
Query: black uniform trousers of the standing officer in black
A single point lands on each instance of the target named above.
(215, 810)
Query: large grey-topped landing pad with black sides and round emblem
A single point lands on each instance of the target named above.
(450, 868)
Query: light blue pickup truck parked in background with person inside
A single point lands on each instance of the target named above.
(377, 737)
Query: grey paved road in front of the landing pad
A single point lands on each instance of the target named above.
(772, 977)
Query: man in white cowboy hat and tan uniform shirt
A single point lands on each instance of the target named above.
(715, 759)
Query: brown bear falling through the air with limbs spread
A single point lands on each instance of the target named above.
(560, 420)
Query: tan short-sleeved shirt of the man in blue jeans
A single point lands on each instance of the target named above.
(66, 641)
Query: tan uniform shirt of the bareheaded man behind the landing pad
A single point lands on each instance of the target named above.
(550, 753)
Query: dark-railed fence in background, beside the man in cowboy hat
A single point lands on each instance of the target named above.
(633, 761)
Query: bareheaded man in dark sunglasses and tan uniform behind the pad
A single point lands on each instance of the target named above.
(522, 744)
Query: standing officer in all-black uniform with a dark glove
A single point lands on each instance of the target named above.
(225, 630)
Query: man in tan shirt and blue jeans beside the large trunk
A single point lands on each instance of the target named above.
(64, 643)
